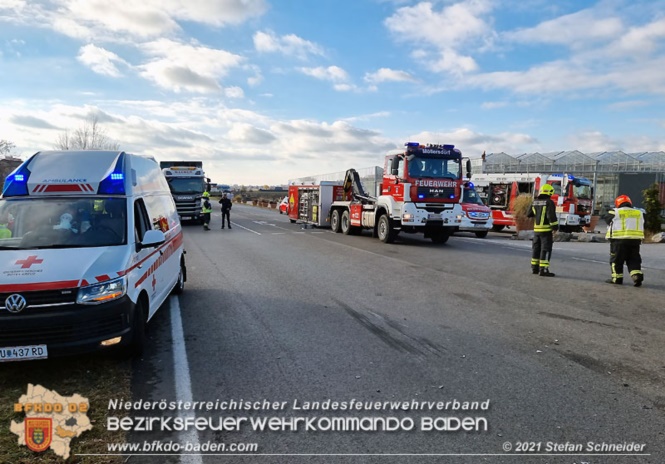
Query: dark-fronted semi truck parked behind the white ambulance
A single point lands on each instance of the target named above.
(187, 182)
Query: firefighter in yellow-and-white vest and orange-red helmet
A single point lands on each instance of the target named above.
(625, 233)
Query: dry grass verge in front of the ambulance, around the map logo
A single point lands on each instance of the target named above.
(98, 378)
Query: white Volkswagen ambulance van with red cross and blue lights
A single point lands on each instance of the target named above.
(90, 248)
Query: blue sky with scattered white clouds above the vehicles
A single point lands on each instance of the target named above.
(263, 91)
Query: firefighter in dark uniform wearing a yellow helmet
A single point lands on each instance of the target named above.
(543, 211)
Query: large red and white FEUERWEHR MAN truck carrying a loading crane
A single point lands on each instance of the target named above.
(419, 193)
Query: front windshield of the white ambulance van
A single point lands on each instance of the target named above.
(69, 222)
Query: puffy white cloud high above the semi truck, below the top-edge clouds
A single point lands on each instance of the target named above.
(184, 67)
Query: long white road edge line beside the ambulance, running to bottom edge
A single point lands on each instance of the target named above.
(183, 381)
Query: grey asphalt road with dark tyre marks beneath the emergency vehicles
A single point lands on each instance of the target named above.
(290, 315)
